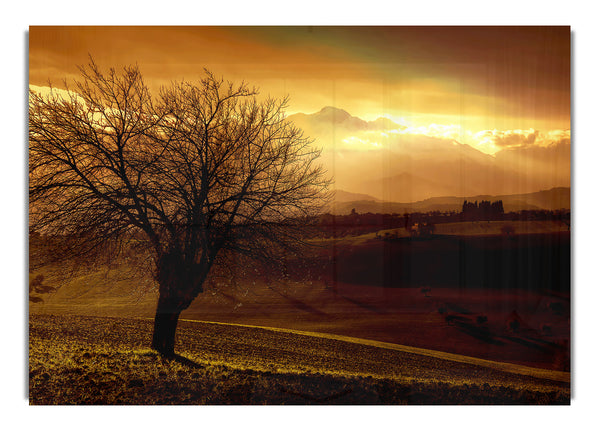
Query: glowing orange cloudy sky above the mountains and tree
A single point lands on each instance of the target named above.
(493, 88)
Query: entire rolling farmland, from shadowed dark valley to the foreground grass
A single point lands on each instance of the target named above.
(505, 300)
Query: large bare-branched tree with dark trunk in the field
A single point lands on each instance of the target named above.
(199, 172)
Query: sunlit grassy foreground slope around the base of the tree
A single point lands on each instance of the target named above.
(89, 360)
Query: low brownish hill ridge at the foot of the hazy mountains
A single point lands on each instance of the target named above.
(553, 199)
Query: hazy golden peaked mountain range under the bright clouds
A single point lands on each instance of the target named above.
(393, 163)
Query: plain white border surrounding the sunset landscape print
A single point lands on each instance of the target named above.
(579, 14)
